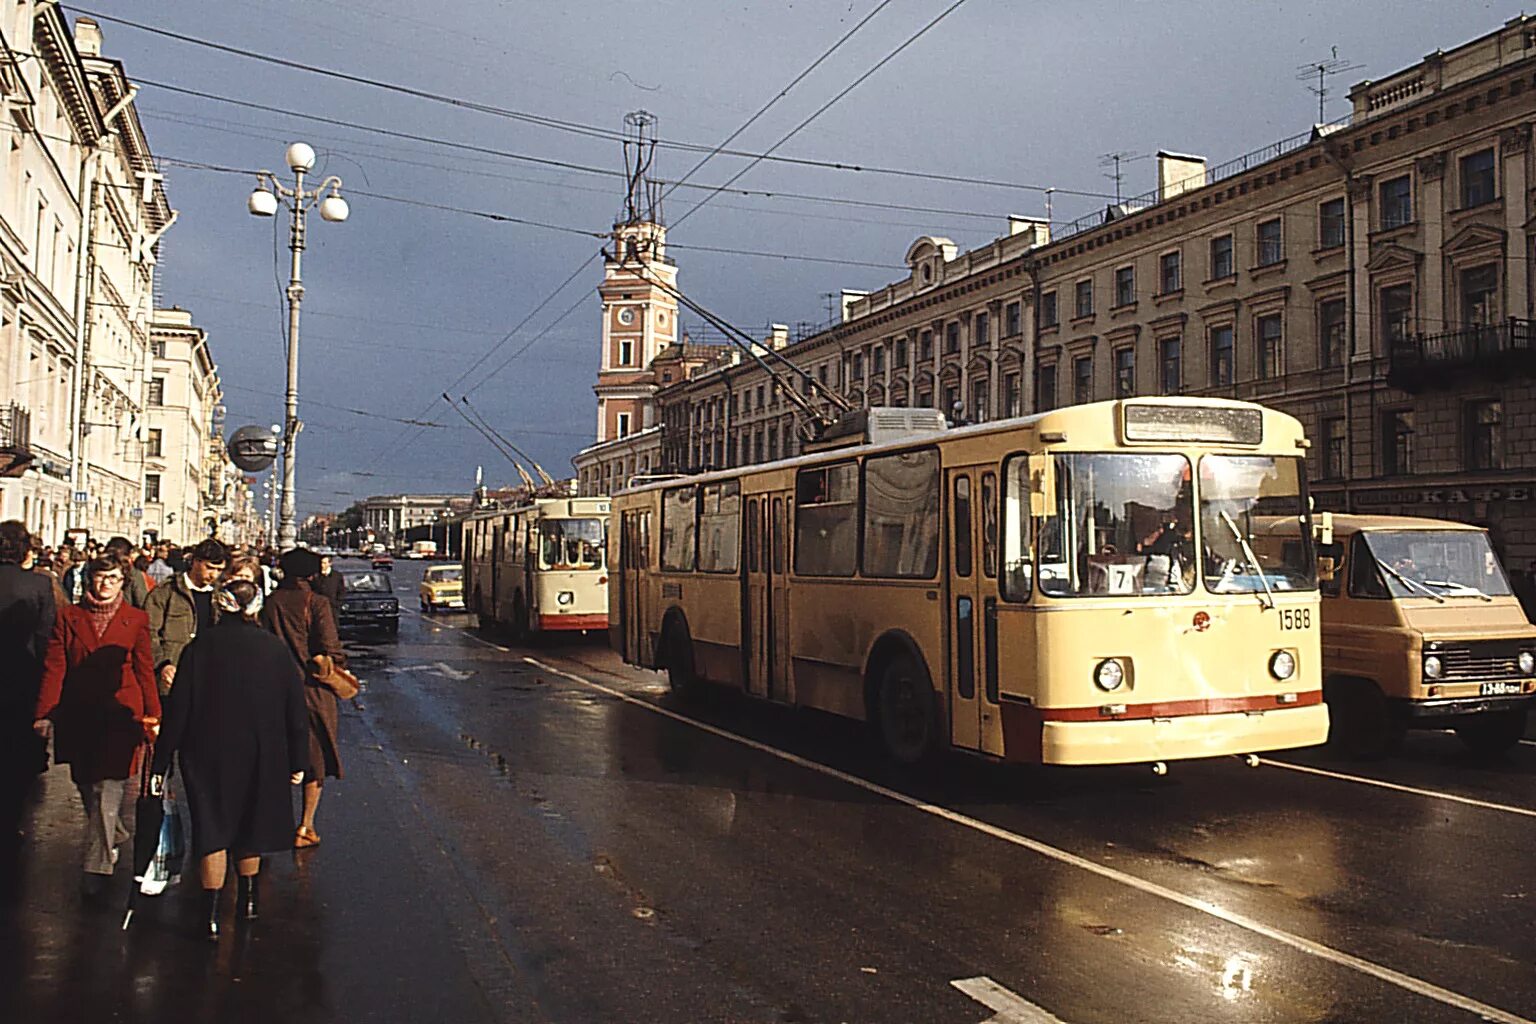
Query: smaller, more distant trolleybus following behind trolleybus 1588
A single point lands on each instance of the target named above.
(540, 567)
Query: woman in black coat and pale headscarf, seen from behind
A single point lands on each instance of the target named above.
(237, 718)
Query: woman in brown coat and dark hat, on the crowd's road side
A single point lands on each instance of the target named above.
(306, 624)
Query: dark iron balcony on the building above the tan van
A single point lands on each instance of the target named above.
(1449, 357)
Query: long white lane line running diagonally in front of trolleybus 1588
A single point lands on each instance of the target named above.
(1397, 979)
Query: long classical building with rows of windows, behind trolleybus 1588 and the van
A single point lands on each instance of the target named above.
(1371, 277)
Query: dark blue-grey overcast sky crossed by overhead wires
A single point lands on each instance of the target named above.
(402, 300)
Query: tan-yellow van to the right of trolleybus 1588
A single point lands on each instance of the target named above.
(1422, 630)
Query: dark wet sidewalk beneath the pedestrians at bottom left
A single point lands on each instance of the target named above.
(349, 931)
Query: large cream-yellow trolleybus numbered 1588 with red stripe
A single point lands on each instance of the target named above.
(1078, 587)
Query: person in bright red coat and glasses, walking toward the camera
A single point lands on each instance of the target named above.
(99, 693)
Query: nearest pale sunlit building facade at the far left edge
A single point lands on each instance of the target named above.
(82, 211)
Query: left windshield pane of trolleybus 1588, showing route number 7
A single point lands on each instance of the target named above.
(1124, 524)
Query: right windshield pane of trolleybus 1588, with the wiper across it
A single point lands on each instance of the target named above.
(1242, 497)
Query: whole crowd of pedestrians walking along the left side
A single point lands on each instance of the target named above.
(213, 670)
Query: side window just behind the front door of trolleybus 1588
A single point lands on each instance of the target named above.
(901, 529)
